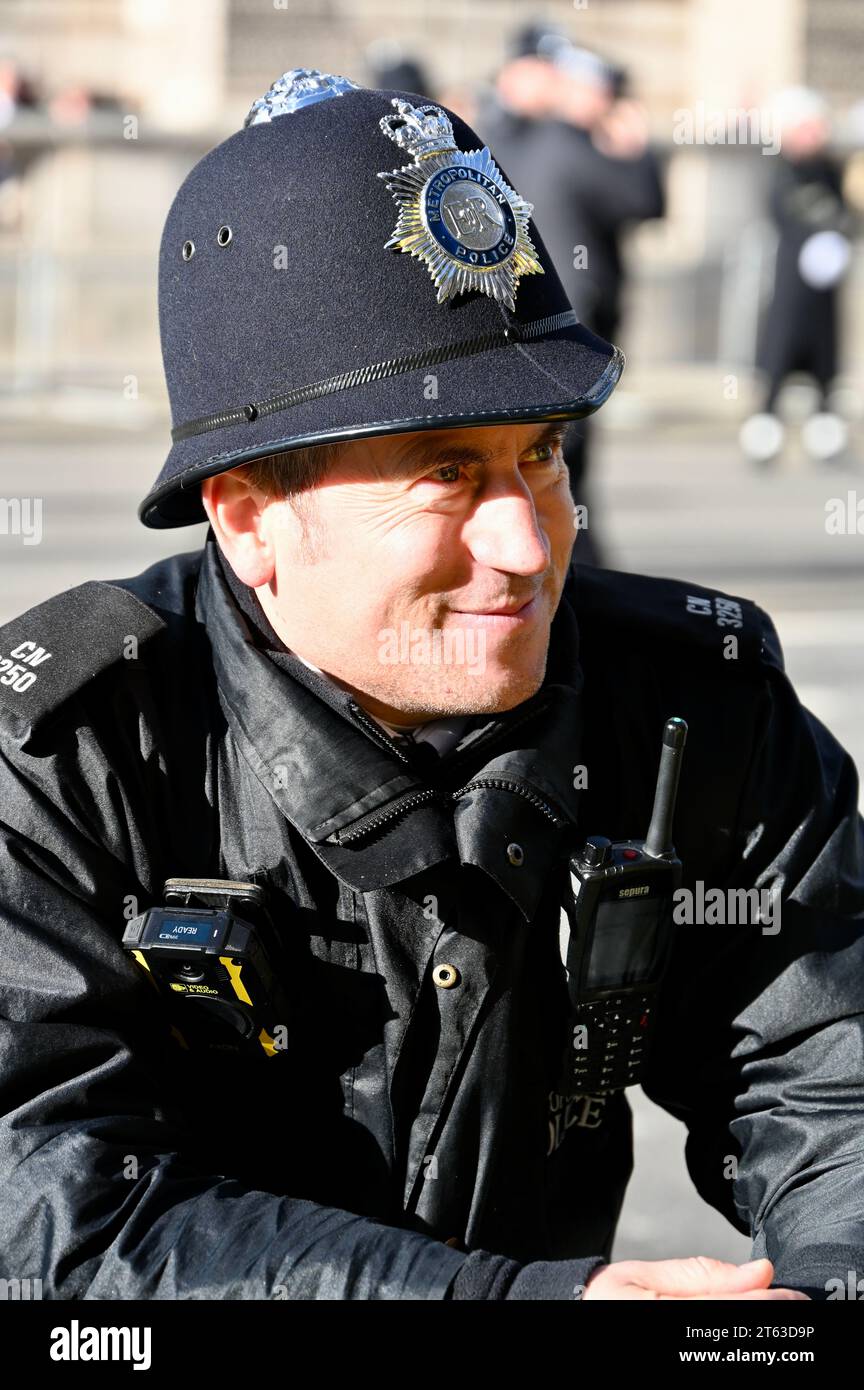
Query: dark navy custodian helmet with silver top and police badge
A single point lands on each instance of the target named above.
(355, 263)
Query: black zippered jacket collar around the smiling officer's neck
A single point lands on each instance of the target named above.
(334, 772)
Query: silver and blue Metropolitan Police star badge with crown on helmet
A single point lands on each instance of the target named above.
(456, 212)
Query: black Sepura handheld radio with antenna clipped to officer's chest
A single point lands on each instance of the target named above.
(616, 939)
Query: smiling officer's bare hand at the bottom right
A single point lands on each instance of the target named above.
(695, 1278)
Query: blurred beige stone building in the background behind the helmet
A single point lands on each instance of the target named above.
(120, 98)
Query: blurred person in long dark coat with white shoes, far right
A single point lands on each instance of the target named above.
(801, 329)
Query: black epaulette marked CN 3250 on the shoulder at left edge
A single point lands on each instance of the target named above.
(56, 648)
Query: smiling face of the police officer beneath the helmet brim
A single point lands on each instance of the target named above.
(384, 575)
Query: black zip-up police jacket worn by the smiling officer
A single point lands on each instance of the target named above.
(408, 1128)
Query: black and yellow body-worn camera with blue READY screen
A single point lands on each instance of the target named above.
(213, 953)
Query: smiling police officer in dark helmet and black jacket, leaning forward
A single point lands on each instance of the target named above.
(355, 272)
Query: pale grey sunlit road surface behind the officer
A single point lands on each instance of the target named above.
(673, 501)
